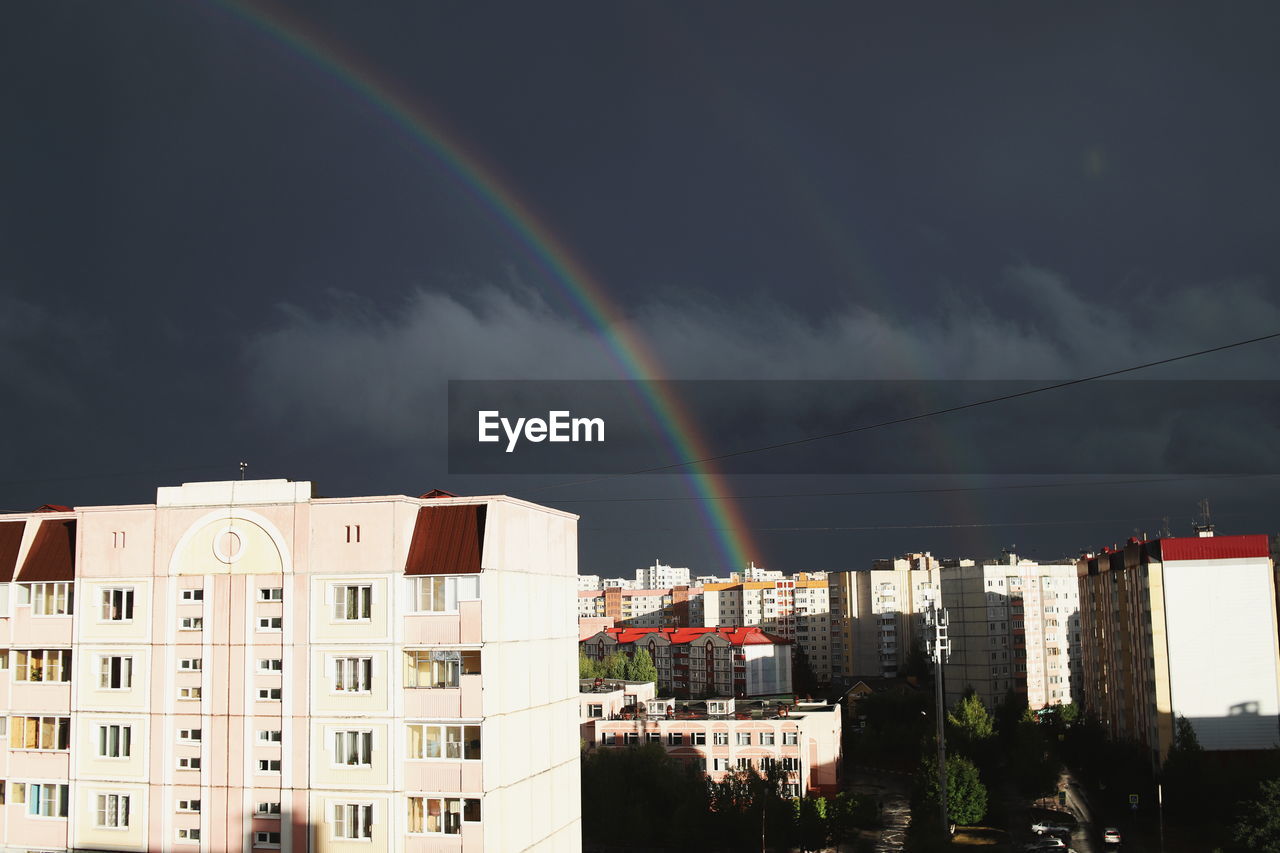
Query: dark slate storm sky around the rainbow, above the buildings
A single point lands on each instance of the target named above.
(213, 248)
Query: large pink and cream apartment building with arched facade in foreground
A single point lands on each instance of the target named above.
(243, 667)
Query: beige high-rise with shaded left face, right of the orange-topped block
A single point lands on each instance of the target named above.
(877, 614)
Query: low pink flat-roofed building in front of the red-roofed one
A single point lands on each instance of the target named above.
(720, 736)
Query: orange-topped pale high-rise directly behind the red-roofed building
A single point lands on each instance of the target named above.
(797, 609)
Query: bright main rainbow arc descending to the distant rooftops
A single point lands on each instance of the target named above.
(723, 514)
